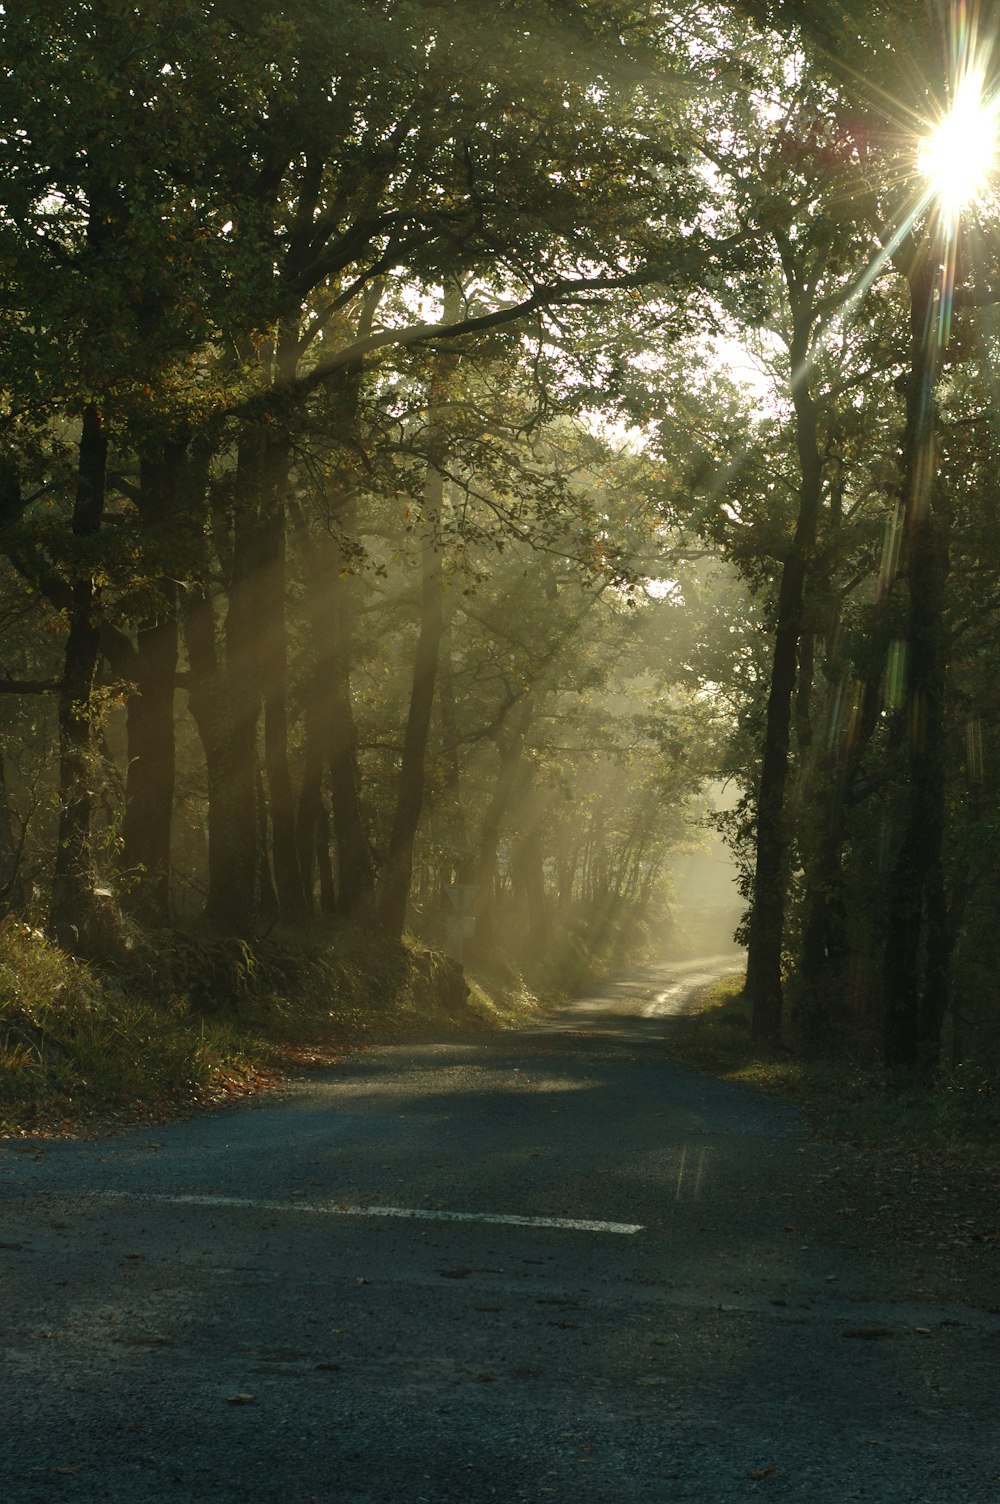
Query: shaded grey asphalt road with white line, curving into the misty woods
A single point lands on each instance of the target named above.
(533, 1267)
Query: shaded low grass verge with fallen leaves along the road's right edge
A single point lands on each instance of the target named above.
(841, 1102)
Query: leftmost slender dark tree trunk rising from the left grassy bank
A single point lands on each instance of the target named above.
(73, 881)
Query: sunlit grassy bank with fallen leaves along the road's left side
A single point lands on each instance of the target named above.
(189, 1019)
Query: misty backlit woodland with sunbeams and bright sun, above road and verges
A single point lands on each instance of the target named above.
(393, 541)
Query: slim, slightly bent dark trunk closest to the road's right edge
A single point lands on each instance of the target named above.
(768, 914)
